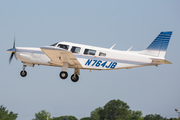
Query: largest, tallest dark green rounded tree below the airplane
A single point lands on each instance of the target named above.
(115, 110)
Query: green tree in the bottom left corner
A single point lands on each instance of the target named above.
(4, 115)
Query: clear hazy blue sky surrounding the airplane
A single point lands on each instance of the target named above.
(152, 90)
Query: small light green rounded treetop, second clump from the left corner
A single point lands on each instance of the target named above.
(42, 115)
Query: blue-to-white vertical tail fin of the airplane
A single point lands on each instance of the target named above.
(159, 46)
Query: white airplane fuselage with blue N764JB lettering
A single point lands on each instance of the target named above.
(96, 59)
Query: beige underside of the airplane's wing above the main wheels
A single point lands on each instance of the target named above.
(59, 56)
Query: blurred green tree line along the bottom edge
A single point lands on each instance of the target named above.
(113, 110)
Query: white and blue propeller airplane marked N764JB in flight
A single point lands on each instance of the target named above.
(79, 56)
